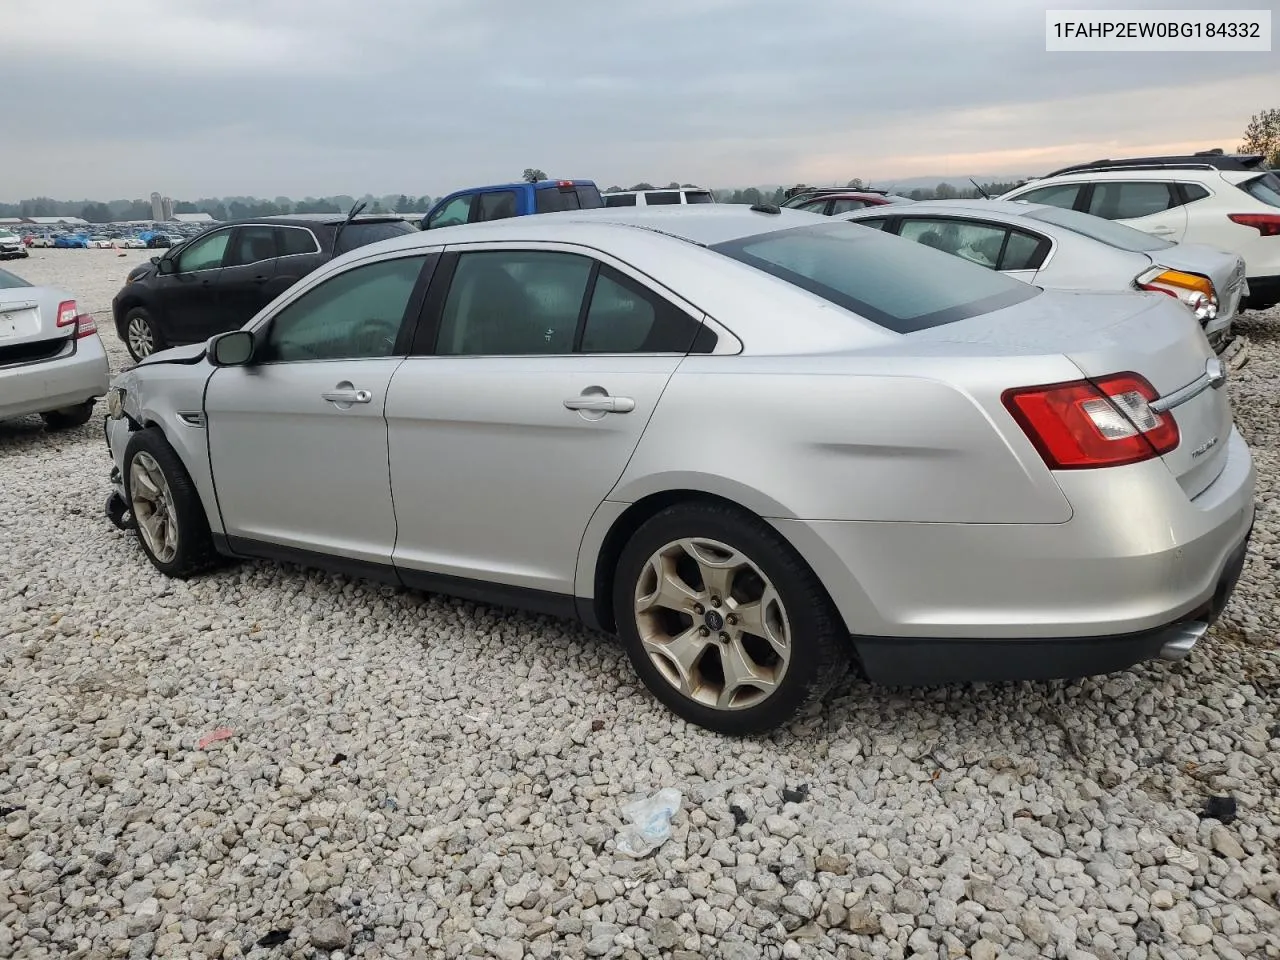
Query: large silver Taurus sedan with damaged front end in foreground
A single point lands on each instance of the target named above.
(761, 446)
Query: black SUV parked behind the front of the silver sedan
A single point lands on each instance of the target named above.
(221, 278)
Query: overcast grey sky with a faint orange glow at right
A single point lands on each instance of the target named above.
(112, 99)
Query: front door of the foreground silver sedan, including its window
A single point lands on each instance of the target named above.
(298, 438)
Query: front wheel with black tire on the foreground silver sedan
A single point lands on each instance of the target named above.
(171, 520)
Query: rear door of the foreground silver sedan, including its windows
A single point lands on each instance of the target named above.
(534, 376)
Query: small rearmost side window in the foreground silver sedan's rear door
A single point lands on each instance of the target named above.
(625, 318)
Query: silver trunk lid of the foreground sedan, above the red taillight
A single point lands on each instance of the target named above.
(1113, 333)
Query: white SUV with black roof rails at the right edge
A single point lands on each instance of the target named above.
(1231, 202)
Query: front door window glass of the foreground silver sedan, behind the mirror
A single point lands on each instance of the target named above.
(356, 314)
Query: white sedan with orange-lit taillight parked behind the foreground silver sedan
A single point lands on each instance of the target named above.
(1068, 250)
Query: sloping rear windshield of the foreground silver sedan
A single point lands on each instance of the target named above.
(898, 285)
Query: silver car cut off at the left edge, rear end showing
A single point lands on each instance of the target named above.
(52, 360)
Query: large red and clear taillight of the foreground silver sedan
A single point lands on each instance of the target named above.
(1086, 424)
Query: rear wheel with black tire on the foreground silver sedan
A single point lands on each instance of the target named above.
(770, 584)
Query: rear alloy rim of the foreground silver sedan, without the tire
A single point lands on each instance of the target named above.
(712, 624)
